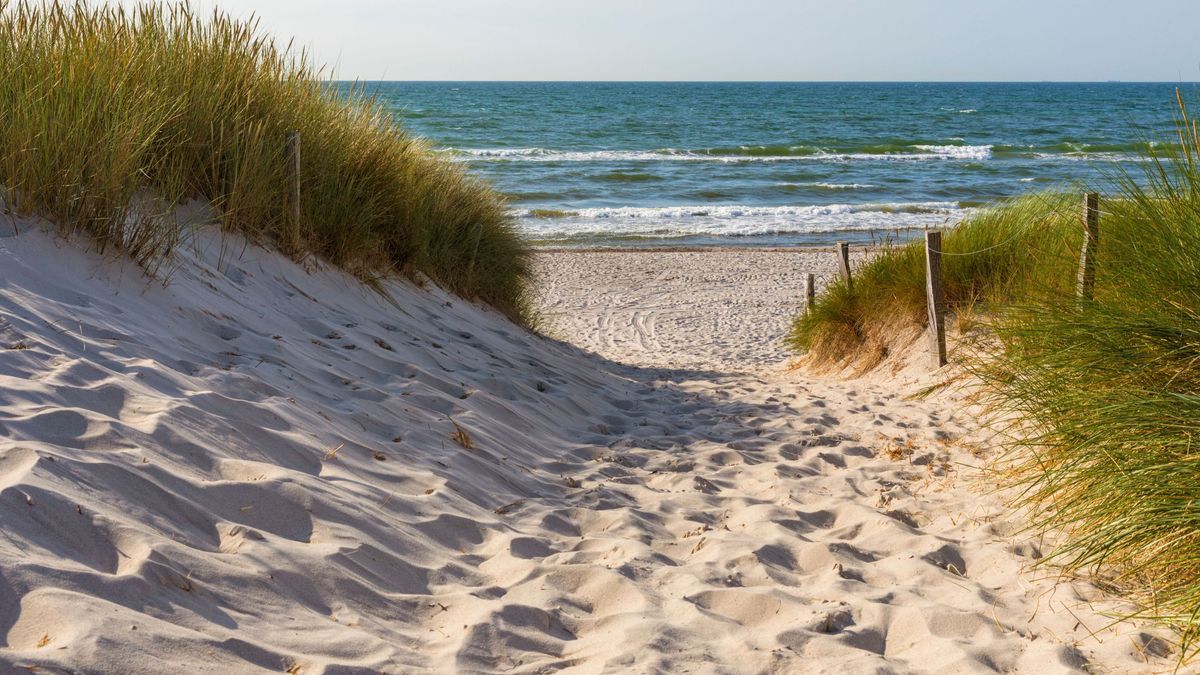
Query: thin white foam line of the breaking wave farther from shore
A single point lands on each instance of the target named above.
(668, 156)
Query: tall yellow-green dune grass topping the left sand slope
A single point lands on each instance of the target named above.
(112, 118)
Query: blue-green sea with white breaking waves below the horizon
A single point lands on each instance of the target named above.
(759, 164)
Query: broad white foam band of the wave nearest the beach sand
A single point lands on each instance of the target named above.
(736, 220)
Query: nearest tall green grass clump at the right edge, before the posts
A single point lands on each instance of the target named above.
(1111, 395)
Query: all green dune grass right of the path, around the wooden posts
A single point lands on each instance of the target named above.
(1106, 445)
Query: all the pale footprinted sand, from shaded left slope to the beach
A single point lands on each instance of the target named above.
(254, 470)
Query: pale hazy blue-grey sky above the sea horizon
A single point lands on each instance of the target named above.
(741, 40)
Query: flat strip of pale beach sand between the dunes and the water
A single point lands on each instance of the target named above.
(643, 308)
